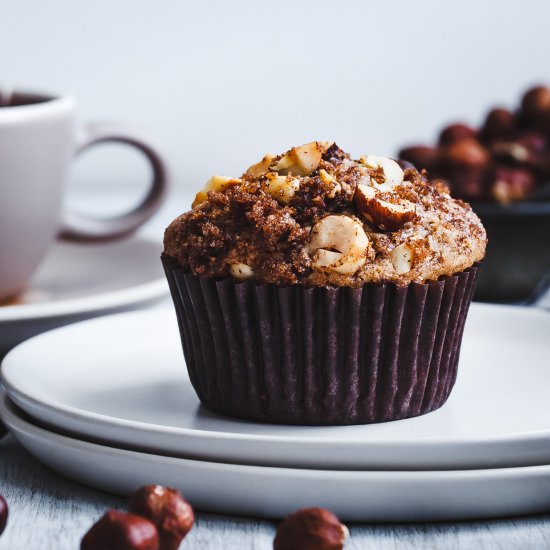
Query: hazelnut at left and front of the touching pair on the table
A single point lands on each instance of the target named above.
(121, 531)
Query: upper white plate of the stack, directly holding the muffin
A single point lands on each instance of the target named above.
(121, 380)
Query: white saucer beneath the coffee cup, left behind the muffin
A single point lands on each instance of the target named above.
(80, 281)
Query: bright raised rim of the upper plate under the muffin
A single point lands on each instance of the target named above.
(139, 426)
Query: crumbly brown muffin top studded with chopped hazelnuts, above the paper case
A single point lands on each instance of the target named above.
(313, 216)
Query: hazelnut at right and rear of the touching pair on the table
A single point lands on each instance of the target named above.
(167, 509)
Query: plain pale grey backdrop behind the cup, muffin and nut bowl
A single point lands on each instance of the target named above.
(219, 83)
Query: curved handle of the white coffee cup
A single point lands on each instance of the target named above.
(79, 227)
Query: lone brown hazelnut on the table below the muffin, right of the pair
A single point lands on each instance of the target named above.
(310, 529)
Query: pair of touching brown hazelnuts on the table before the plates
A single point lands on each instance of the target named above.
(159, 519)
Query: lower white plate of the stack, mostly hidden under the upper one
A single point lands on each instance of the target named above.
(275, 492)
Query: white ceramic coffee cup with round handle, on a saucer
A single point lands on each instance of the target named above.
(39, 136)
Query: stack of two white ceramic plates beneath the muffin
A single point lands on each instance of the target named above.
(108, 403)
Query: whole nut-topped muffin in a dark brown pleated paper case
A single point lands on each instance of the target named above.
(317, 289)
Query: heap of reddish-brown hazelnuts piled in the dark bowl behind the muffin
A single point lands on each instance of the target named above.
(506, 160)
